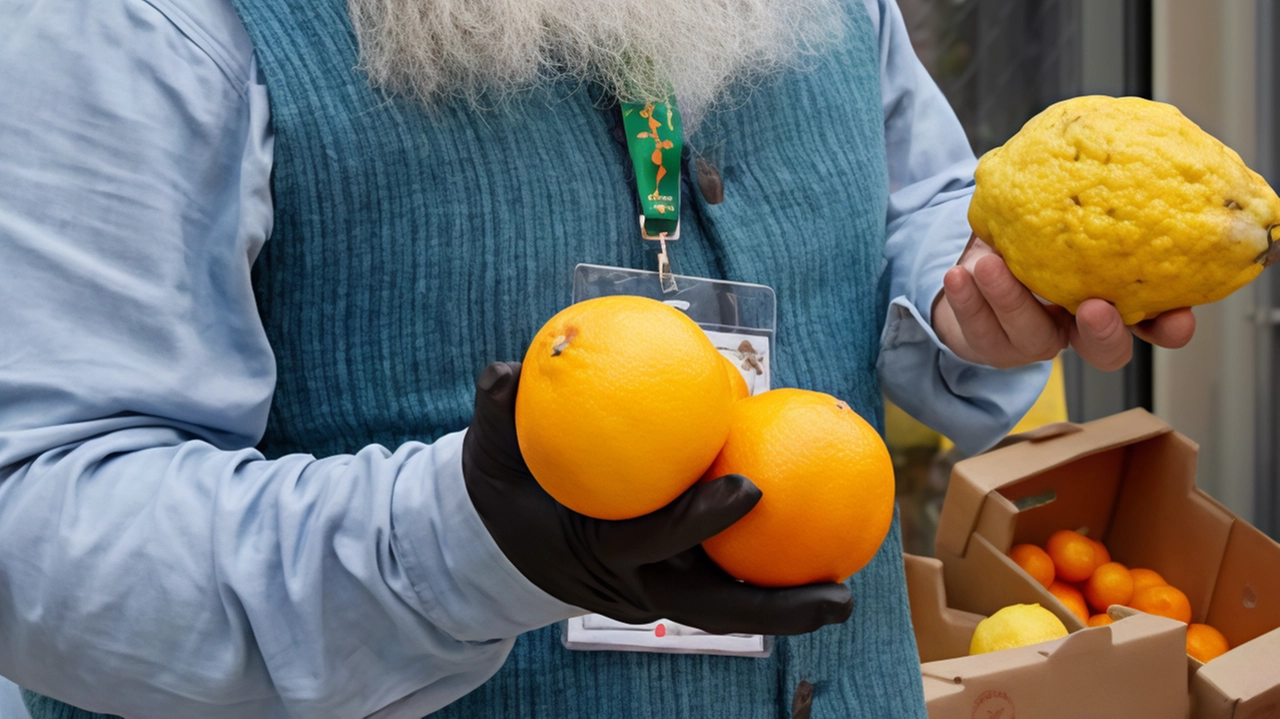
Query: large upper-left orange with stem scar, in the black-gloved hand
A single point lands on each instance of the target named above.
(623, 405)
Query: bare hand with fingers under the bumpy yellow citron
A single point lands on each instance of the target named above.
(985, 315)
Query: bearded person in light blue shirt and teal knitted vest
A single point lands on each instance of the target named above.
(258, 254)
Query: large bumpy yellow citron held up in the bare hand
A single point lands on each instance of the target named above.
(1124, 200)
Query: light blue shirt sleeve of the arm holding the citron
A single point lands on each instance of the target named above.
(931, 182)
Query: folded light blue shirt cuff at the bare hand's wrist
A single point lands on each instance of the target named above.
(973, 405)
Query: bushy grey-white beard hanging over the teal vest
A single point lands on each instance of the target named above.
(487, 52)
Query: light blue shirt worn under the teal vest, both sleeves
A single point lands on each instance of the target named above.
(153, 564)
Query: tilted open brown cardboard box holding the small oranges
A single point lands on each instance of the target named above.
(1128, 480)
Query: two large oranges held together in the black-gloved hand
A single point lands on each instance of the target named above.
(625, 404)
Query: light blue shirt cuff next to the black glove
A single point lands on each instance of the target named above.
(467, 584)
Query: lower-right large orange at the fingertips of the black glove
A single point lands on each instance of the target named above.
(829, 491)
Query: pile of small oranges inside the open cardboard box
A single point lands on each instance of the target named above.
(1080, 573)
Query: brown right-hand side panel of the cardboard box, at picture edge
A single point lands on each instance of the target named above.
(1247, 594)
